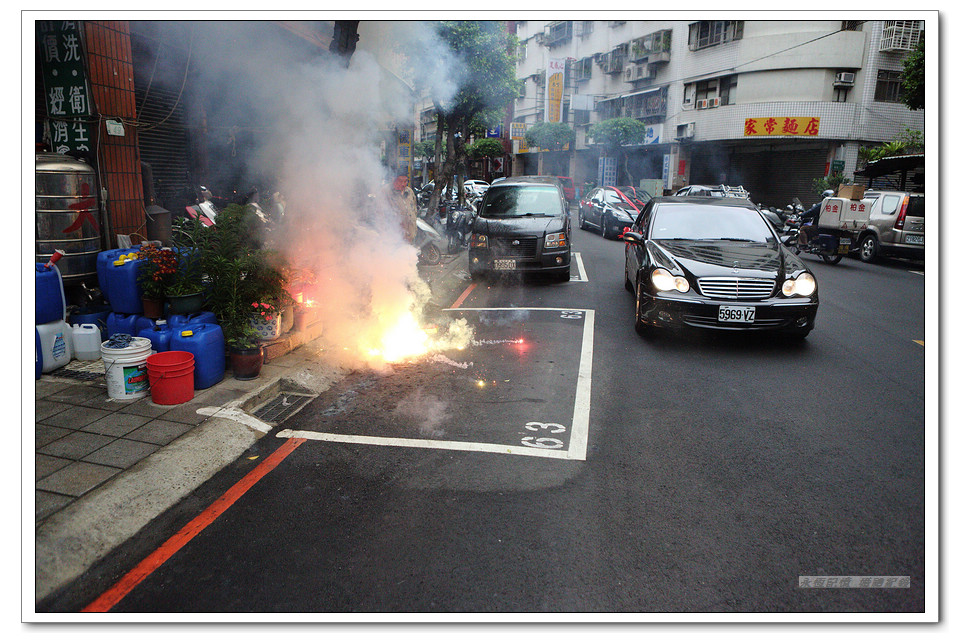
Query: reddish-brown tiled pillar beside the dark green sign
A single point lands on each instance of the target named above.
(110, 64)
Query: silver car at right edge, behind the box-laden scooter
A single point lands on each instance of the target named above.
(895, 226)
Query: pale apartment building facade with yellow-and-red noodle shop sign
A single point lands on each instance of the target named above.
(769, 104)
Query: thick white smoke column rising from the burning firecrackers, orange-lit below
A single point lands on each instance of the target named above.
(322, 124)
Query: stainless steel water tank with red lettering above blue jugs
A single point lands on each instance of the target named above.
(68, 214)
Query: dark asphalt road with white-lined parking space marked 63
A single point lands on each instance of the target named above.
(563, 464)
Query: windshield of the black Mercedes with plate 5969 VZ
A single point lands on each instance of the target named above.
(709, 223)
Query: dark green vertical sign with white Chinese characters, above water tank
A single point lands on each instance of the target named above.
(65, 89)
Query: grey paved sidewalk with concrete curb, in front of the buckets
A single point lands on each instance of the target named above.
(105, 468)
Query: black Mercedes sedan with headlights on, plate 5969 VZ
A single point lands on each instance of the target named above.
(715, 263)
